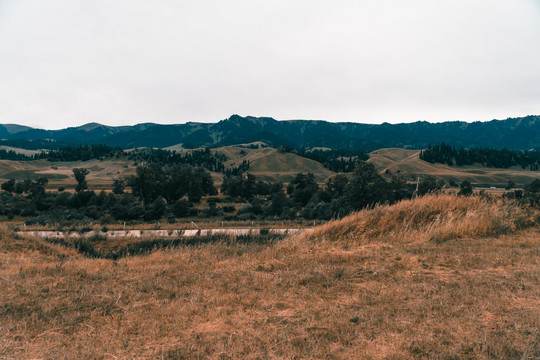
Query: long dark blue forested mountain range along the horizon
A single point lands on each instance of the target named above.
(513, 133)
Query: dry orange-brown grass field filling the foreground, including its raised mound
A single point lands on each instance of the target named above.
(438, 277)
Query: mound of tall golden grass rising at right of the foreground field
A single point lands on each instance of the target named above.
(430, 218)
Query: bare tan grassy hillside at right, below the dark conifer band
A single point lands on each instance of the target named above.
(407, 163)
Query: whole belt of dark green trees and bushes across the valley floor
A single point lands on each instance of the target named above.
(172, 191)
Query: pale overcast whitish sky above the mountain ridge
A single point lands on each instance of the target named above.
(121, 62)
